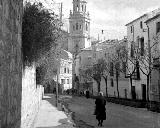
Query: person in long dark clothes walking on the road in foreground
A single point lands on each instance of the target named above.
(100, 110)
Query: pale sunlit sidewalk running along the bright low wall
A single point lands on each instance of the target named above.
(49, 116)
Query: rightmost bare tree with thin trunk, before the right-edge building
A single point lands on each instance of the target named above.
(146, 58)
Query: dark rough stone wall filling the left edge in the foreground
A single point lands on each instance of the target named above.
(10, 63)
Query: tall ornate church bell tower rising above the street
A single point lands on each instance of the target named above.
(79, 27)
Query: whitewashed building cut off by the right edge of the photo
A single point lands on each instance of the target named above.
(154, 40)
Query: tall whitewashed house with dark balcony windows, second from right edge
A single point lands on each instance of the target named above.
(137, 35)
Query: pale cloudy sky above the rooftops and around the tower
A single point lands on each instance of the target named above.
(109, 15)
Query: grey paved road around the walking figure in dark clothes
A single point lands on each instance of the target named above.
(118, 116)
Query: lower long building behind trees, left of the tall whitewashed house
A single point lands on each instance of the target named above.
(107, 50)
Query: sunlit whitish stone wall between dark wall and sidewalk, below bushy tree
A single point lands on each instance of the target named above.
(31, 97)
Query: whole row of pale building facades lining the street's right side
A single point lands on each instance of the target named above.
(141, 60)
